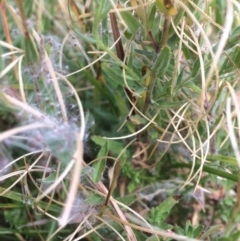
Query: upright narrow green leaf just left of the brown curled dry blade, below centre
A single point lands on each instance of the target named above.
(99, 165)
